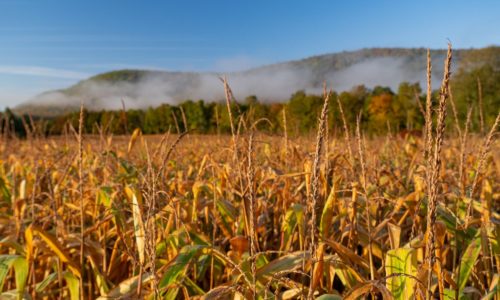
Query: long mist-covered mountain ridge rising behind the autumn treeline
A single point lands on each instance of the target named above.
(273, 82)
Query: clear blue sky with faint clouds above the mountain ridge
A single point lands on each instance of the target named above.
(52, 44)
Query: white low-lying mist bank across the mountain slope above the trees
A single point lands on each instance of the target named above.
(269, 84)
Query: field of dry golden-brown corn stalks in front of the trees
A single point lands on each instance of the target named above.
(251, 216)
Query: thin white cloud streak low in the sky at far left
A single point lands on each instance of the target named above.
(42, 72)
